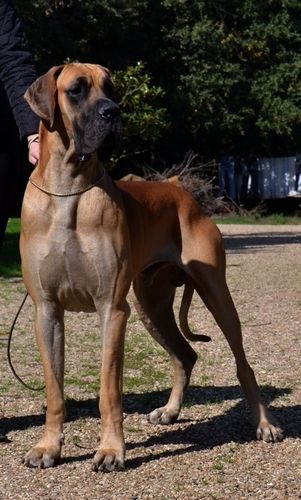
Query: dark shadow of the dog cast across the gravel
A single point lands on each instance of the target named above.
(233, 425)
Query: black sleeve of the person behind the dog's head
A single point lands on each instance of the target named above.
(17, 70)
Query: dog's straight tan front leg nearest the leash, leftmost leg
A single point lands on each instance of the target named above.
(50, 338)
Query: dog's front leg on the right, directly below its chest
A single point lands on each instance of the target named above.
(111, 452)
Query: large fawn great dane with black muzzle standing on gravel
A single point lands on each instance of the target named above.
(85, 239)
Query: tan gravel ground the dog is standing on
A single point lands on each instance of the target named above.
(210, 453)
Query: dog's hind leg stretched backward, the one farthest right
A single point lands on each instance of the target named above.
(210, 283)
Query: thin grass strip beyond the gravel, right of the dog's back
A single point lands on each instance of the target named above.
(256, 218)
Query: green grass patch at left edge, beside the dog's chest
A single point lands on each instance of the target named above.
(10, 264)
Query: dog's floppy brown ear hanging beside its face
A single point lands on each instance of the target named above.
(41, 95)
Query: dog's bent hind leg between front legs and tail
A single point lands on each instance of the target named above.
(154, 304)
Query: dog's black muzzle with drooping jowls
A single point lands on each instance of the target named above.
(99, 130)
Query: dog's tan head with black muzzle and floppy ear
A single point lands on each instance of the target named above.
(81, 99)
